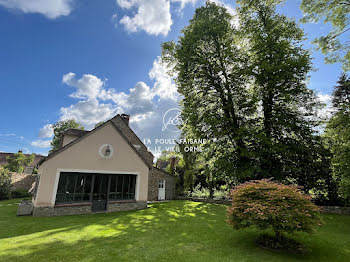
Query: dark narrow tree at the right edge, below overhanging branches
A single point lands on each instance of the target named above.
(338, 132)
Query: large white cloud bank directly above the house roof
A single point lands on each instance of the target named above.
(146, 104)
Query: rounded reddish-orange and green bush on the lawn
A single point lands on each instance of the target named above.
(271, 205)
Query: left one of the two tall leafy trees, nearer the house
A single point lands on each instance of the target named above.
(210, 74)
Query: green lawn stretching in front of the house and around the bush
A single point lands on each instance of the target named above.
(171, 231)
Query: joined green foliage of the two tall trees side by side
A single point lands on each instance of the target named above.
(244, 90)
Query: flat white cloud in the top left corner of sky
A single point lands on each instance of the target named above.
(49, 8)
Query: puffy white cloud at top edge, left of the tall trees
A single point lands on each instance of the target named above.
(152, 16)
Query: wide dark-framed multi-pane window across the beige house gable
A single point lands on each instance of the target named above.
(84, 187)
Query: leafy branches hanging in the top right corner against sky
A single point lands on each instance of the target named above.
(336, 12)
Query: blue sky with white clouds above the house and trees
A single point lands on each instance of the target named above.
(92, 59)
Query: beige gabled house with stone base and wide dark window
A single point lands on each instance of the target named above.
(106, 169)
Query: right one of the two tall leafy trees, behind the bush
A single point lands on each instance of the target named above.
(279, 66)
